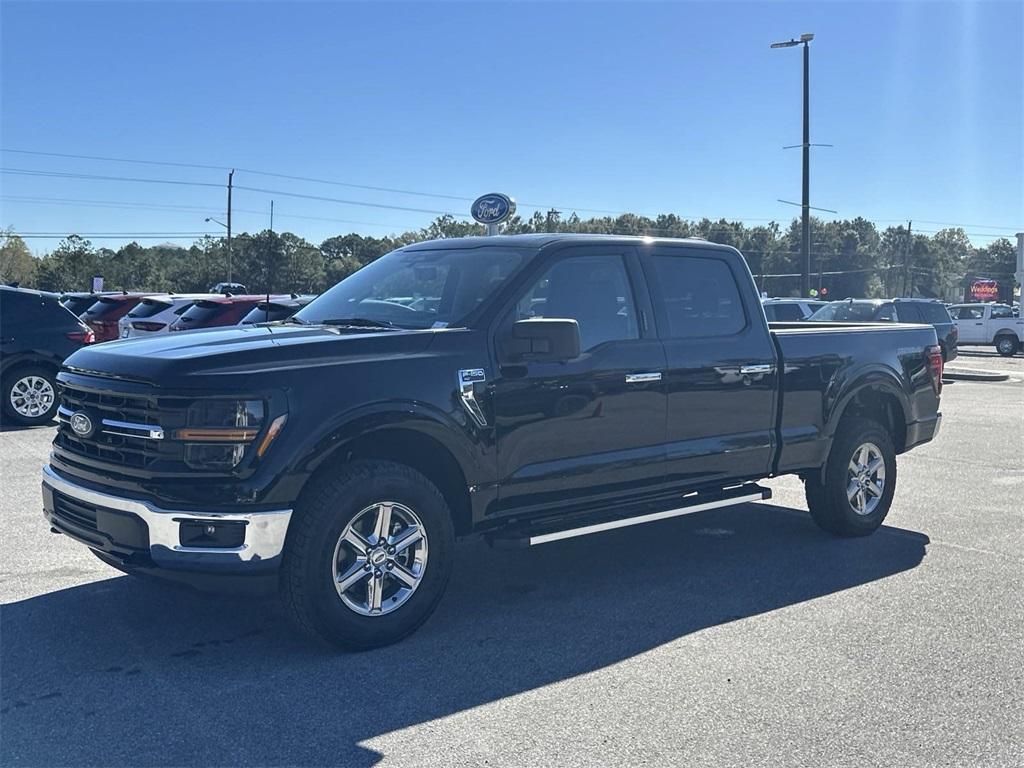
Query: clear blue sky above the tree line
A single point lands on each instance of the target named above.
(663, 108)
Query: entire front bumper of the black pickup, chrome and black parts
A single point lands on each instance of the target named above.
(140, 534)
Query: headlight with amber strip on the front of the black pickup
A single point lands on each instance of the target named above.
(219, 432)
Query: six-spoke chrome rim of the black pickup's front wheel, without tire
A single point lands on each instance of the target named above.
(380, 559)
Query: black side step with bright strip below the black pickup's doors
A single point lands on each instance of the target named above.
(532, 535)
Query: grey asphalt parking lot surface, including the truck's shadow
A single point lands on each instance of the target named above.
(736, 637)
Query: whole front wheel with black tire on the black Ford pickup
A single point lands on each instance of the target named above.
(368, 557)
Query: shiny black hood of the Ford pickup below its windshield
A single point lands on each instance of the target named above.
(214, 359)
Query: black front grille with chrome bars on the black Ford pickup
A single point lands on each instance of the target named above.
(113, 446)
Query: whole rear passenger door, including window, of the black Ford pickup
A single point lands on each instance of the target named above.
(721, 373)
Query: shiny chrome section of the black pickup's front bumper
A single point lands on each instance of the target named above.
(265, 531)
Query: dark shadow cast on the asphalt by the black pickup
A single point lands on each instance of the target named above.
(127, 672)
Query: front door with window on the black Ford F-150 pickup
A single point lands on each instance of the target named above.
(592, 429)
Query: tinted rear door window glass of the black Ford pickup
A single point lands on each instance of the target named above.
(699, 296)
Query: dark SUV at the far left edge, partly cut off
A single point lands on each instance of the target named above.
(36, 334)
